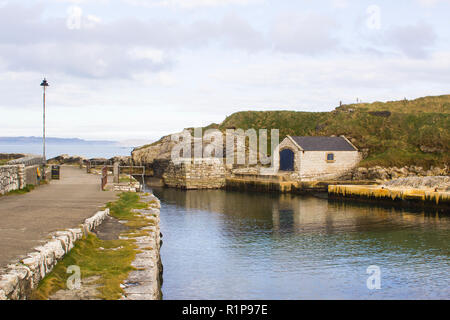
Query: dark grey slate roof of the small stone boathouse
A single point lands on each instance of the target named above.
(324, 144)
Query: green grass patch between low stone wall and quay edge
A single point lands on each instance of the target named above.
(113, 266)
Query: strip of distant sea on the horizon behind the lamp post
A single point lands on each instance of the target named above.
(53, 150)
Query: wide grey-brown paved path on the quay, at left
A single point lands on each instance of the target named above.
(27, 220)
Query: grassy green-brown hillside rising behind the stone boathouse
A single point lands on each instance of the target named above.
(395, 133)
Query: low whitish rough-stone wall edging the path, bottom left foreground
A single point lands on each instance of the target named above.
(18, 280)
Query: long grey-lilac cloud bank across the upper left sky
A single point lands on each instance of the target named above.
(92, 48)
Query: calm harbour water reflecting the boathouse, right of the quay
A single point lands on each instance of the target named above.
(228, 245)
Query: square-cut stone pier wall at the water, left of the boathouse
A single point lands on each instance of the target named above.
(196, 174)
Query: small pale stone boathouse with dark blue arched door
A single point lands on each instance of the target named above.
(316, 157)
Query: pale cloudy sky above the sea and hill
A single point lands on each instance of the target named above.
(141, 69)
